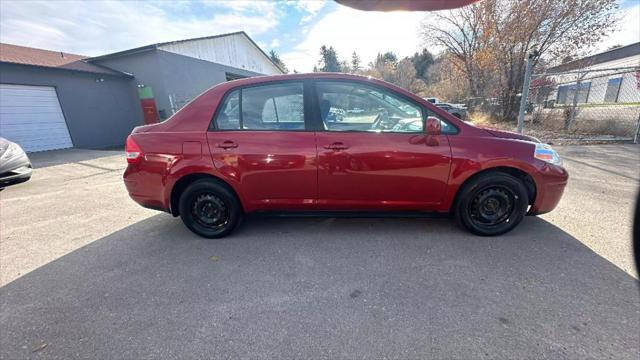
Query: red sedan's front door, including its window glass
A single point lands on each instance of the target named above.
(378, 157)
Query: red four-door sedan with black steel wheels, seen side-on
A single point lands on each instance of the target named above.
(331, 145)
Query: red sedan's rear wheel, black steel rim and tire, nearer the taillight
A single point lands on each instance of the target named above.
(209, 209)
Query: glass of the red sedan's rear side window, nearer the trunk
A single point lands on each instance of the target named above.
(266, 107)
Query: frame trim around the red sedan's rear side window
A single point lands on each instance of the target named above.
(213, 126)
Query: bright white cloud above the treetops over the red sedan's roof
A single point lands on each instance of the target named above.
(366, 33)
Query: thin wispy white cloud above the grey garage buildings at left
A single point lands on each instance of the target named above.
(99, 27)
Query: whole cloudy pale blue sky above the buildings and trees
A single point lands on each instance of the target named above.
(294, 29)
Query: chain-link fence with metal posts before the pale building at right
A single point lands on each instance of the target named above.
(585, 103)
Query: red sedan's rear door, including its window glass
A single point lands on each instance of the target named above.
(260, 141)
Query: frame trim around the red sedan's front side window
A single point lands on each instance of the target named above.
(318, 123)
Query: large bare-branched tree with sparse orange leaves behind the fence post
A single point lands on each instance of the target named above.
(489, 41)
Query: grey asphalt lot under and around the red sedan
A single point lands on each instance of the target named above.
(86, 273)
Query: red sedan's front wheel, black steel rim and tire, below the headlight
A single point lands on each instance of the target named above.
(491, 204)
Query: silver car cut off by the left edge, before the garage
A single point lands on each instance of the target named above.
(15, 166)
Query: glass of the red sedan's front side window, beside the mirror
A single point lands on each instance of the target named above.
(350, 106)
